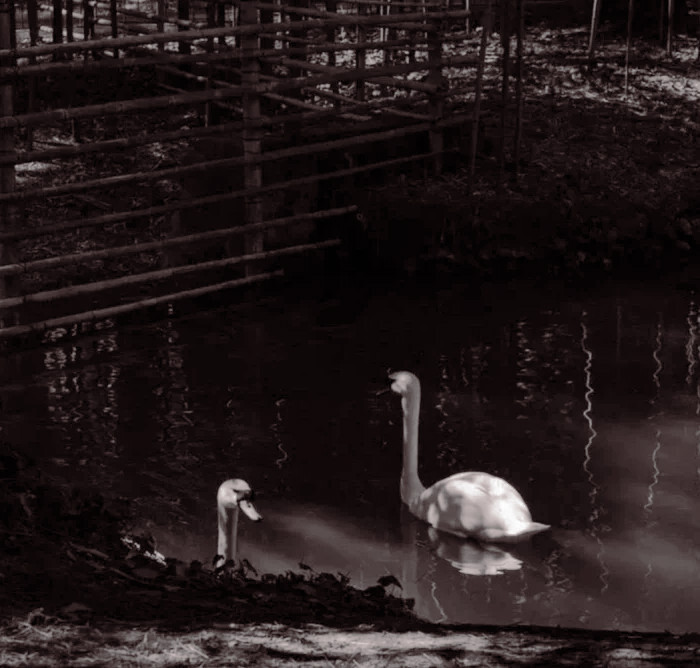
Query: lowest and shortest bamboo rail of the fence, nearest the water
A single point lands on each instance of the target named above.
(122, 309)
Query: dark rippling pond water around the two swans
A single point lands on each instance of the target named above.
(587, 403)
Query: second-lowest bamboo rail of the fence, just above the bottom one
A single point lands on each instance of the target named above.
(47, 296)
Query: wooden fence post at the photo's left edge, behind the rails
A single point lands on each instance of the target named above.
(8, 285)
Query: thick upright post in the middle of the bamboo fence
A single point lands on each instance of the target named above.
(252, 143)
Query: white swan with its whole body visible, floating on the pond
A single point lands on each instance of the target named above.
(474, 505)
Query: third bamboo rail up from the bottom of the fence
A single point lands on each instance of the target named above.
(165, 244)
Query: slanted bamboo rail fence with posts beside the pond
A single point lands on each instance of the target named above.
(153, 152)
